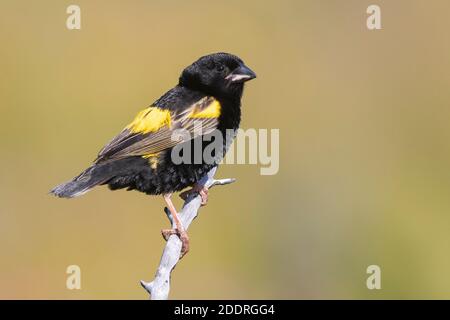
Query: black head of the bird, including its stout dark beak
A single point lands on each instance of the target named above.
(219, 74)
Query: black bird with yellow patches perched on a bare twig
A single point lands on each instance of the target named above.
(208, 96)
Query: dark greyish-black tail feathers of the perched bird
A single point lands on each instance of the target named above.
(84, 182)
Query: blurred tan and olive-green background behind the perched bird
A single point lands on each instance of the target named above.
(364, 155)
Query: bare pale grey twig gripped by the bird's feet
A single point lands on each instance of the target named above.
(160, 286)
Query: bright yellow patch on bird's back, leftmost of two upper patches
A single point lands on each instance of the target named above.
(150, 120)
